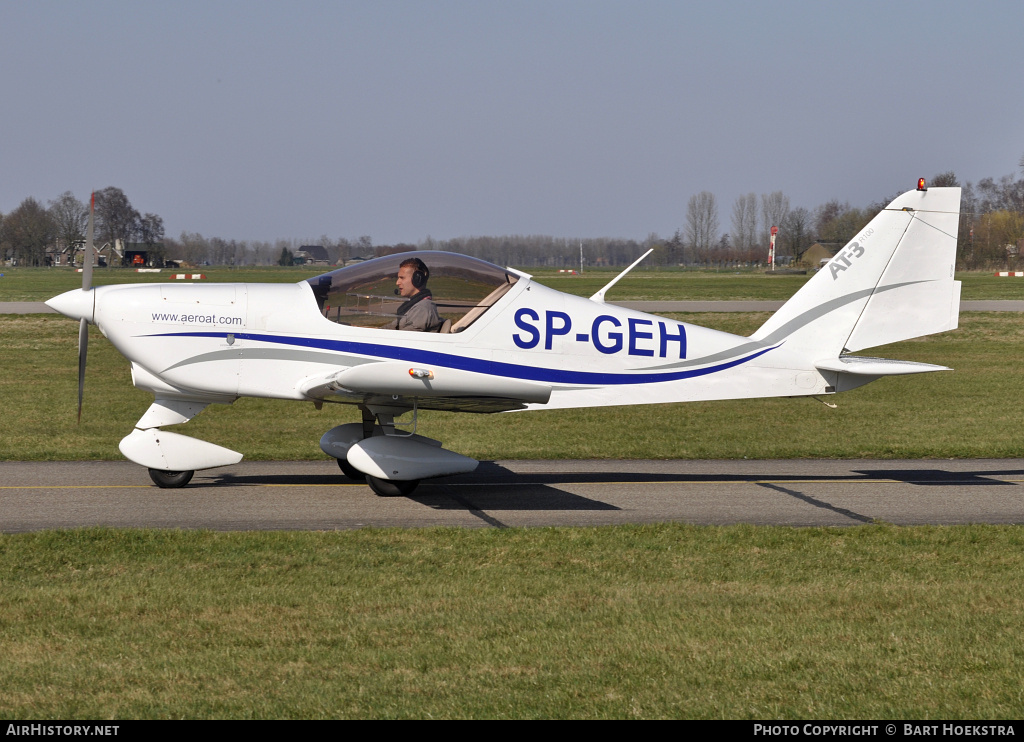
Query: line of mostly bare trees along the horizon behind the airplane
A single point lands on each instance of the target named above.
(992, 234)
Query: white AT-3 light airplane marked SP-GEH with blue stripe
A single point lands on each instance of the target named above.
(508, 344)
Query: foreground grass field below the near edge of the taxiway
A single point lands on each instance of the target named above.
(626, 623)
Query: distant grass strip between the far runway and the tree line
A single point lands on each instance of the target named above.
(642, 285)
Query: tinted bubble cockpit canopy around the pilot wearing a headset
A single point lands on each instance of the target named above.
(364, 295)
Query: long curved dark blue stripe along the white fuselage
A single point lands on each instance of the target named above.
(492, 368)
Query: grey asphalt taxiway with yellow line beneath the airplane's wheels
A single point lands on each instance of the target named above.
(314, 496)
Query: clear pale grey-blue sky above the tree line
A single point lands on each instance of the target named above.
(399, 120)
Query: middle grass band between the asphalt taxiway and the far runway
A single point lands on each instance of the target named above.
(969, 413)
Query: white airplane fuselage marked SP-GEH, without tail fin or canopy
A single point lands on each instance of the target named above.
(224, 341)
